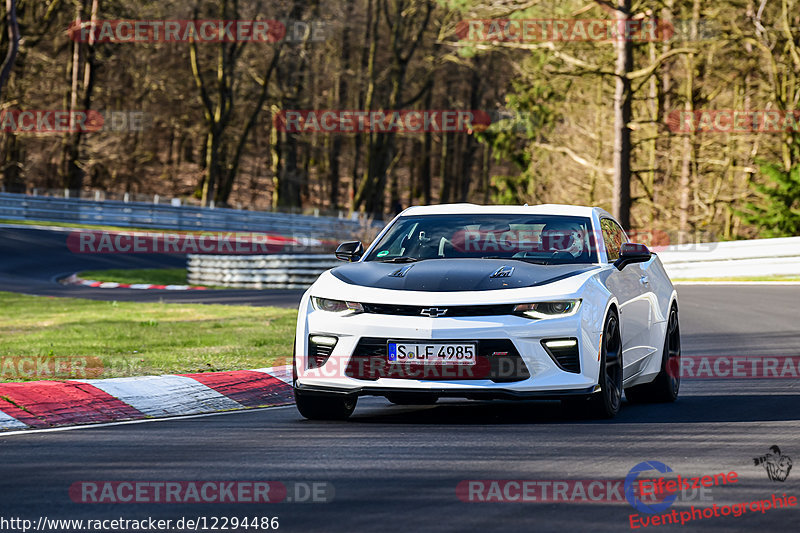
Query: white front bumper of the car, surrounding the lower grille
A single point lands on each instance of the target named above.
(544, 377)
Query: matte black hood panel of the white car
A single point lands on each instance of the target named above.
(450, 275)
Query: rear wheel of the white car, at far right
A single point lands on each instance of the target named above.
(665, 387)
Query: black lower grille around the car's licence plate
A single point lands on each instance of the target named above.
(497, 360)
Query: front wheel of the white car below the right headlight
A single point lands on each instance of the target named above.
(605, 403)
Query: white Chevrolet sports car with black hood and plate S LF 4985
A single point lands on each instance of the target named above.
(490, 302)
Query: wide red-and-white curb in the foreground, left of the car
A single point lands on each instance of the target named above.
(44, 404)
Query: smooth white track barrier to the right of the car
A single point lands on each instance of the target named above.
(761, 257)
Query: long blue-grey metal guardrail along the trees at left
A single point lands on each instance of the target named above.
(145, 215)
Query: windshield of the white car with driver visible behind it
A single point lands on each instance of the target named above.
(546, 239)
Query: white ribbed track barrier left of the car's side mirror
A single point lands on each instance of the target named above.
(259, 271)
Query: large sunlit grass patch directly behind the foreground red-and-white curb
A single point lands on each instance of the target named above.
(113, 339)
